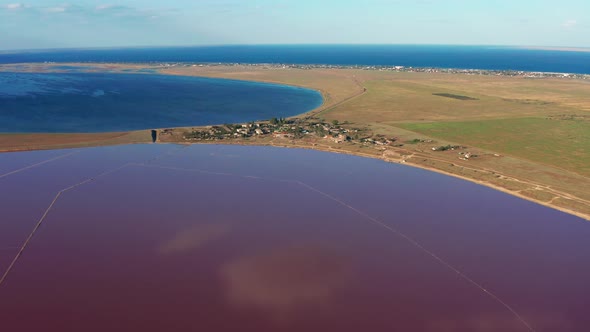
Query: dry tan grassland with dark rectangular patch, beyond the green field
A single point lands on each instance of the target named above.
(412, 97)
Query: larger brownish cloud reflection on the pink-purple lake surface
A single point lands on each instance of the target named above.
(280, 281)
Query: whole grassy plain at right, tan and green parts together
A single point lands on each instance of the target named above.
(541, 120)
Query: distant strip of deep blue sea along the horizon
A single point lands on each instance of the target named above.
(441, 56)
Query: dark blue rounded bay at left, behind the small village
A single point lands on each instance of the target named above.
(92, 102)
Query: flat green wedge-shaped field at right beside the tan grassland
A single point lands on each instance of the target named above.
(561, 143)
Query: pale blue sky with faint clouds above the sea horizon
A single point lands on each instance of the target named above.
(88, 23)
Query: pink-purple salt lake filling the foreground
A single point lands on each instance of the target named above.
(225, 238)
